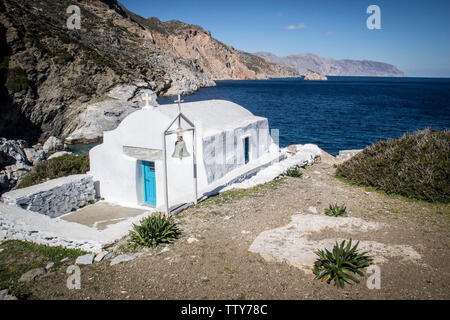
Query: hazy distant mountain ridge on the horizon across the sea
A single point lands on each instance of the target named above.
(310, 62)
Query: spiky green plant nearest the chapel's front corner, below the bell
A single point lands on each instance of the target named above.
(154, 230)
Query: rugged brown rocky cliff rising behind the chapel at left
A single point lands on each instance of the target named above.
(50, 75)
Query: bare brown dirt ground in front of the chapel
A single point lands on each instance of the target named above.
(220, 266)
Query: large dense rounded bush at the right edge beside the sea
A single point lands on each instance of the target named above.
(415, 166)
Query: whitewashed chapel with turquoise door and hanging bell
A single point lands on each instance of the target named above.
(168, 155)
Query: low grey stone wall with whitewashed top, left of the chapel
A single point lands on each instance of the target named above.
(54, 197)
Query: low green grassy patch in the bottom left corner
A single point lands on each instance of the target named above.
(19, 257)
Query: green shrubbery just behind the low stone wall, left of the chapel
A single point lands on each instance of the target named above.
(62, 166)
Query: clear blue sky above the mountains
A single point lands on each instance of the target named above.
(414, 34)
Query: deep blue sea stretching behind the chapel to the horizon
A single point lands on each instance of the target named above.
(341, 113)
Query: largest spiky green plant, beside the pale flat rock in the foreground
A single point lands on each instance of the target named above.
(340, 264)
